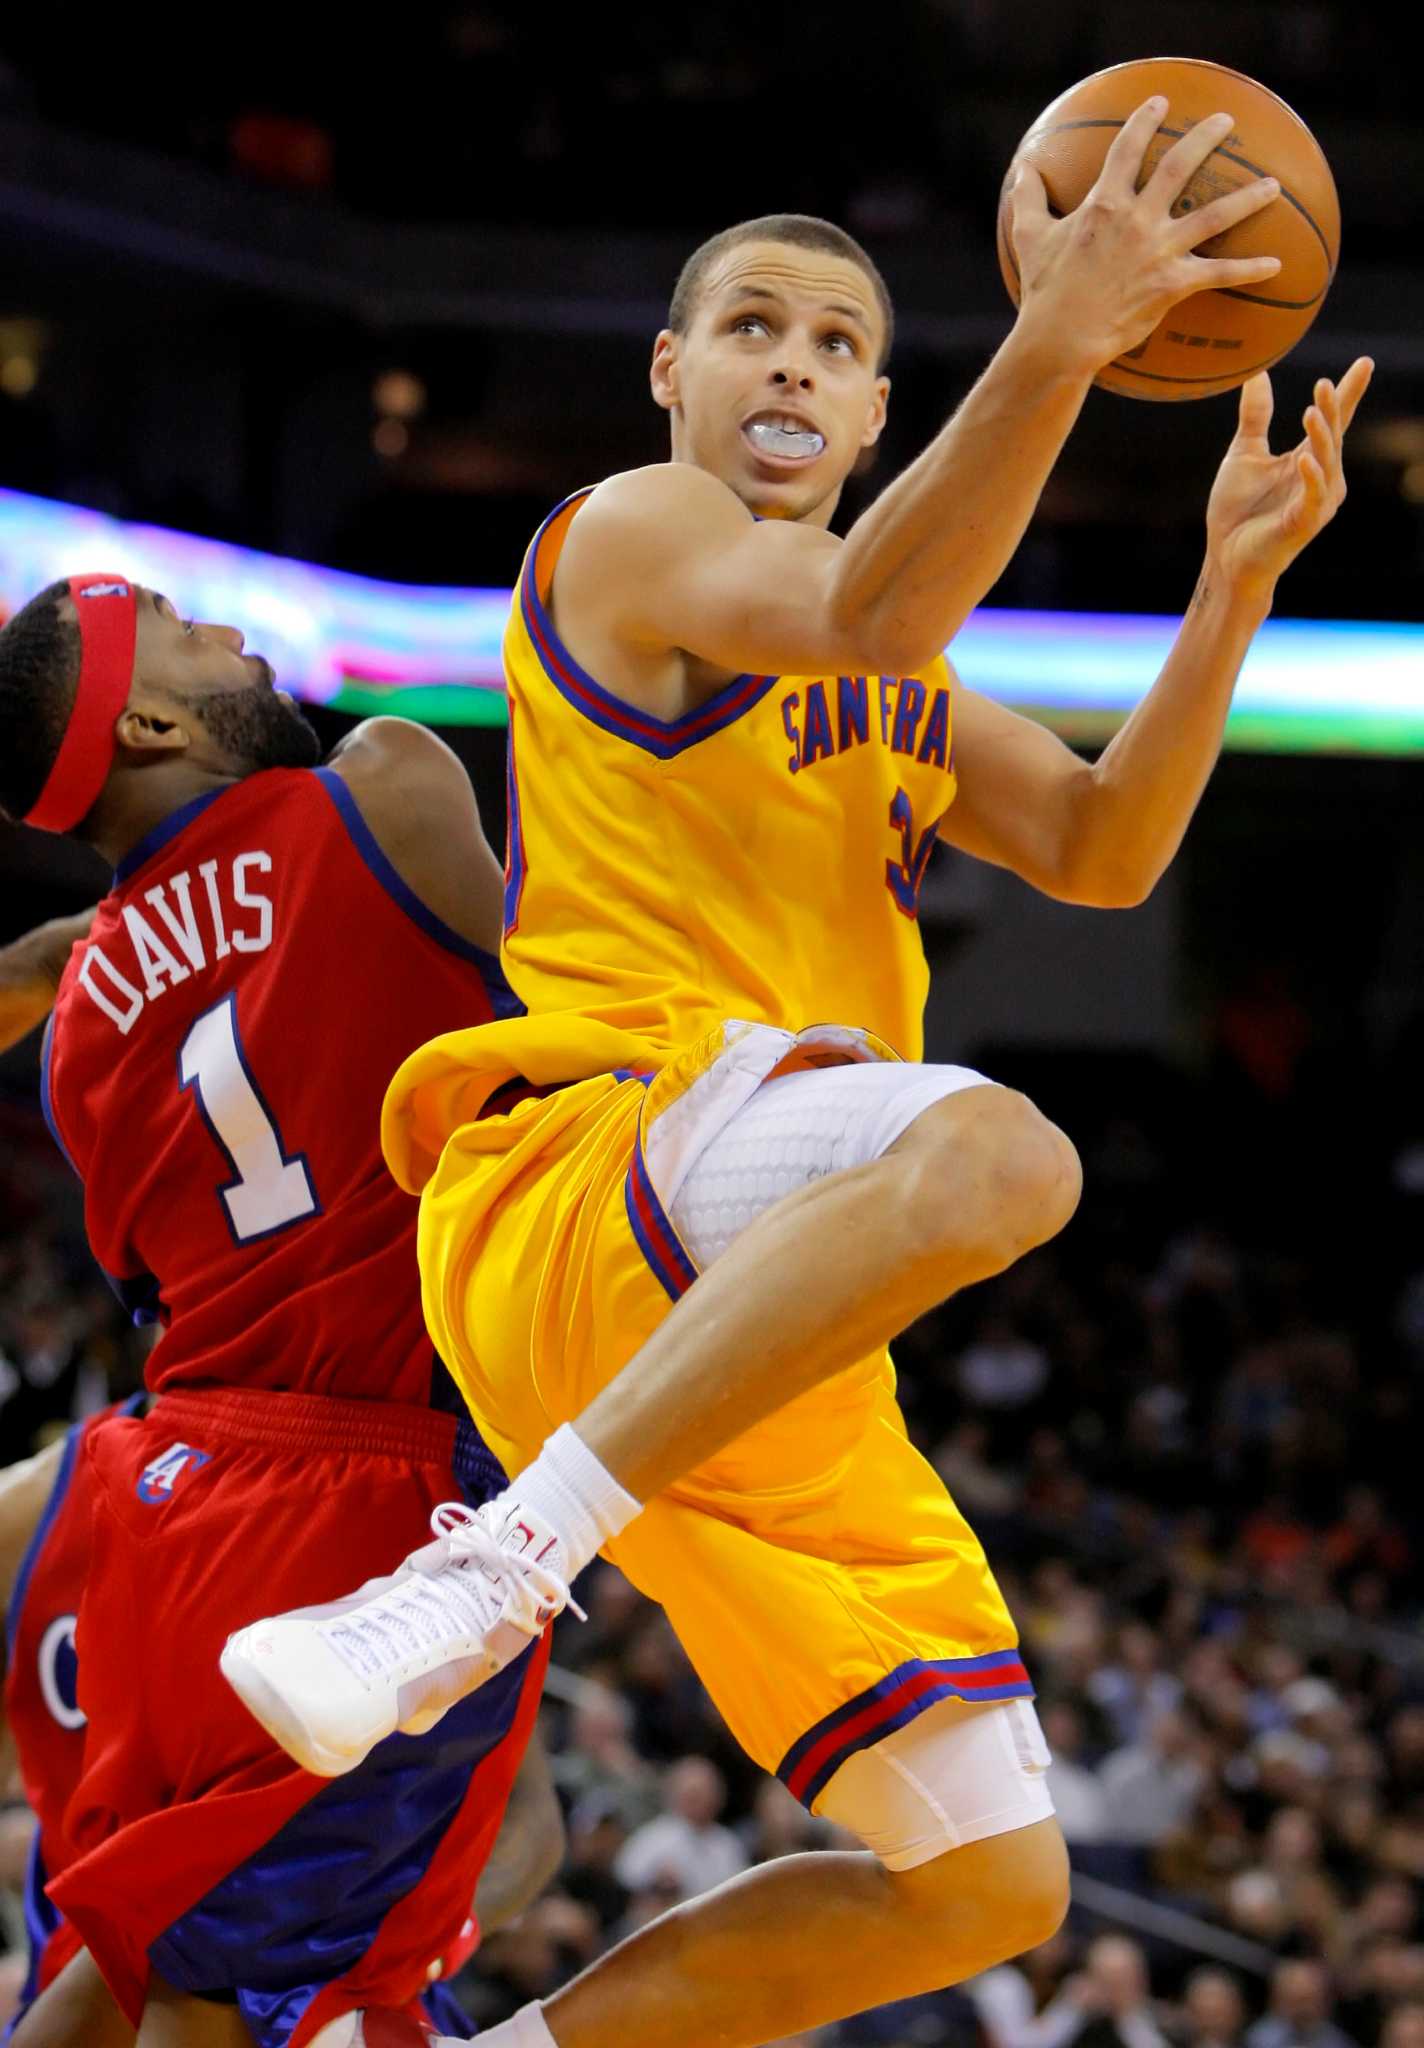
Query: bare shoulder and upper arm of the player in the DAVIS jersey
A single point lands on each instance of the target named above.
(417, 800)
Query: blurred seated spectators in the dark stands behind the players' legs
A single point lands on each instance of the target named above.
(1187, 1439)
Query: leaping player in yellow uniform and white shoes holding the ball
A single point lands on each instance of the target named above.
(710, 1144)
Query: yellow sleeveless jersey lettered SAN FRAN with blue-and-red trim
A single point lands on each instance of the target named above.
(761, 857)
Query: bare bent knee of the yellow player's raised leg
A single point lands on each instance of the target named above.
(997, 1166)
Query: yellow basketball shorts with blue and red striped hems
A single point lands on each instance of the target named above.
(816, 1572)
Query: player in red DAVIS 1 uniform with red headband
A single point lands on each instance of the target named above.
(276, 941)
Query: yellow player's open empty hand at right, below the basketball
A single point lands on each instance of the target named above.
(1265, 509)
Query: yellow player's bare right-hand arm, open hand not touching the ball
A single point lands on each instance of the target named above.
(1105, 833)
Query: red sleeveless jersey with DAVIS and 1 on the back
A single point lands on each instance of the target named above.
(214, 1072)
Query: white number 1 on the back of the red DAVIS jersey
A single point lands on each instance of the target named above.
(269, 1191)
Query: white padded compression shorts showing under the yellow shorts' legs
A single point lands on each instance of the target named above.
(958, 1773)
